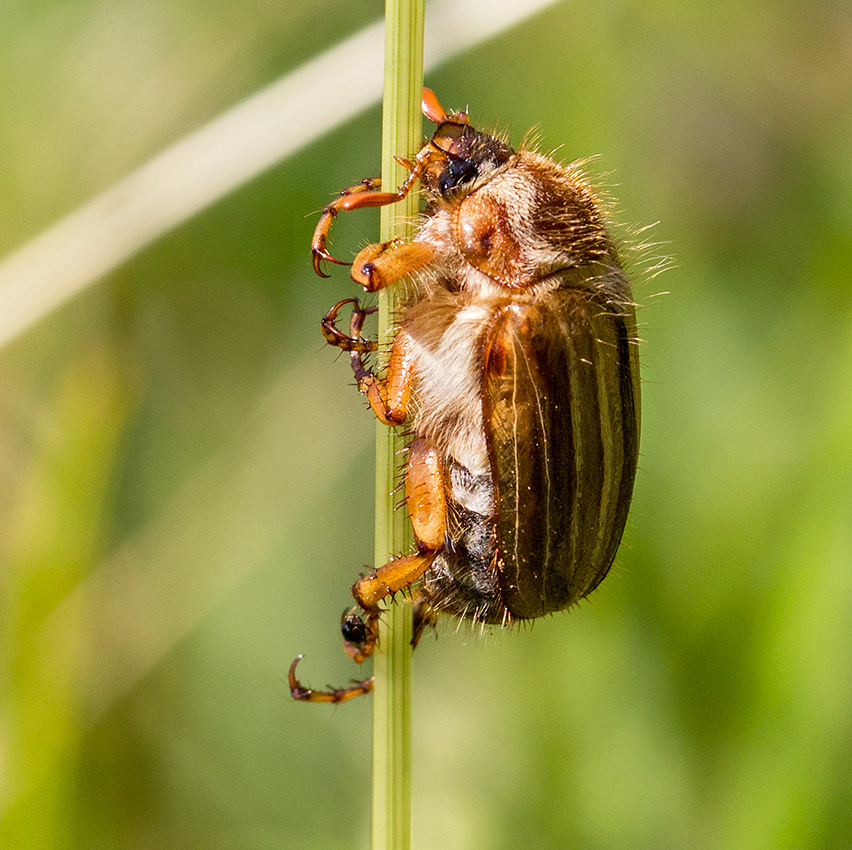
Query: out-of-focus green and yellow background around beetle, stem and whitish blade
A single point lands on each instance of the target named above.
(186, 470)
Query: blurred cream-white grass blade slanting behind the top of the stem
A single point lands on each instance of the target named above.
(218, 158)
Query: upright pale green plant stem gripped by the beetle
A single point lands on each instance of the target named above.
(401, 134)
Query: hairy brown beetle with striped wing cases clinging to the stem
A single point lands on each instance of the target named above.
(515, 364)
